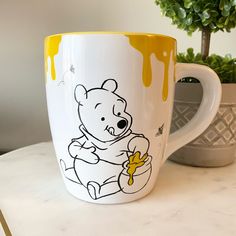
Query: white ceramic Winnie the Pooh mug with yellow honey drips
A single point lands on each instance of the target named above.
(110, 98)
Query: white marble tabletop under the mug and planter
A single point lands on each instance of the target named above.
(186, 201)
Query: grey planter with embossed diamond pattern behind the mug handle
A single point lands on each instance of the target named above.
(217, 145)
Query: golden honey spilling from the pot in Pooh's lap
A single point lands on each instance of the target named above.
(135, 161)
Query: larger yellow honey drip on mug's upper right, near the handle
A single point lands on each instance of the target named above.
(162, 47)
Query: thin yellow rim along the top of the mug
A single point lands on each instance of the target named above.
(111, 33)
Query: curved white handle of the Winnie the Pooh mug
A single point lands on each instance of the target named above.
(209, 106)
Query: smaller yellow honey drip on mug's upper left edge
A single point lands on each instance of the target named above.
(50, 50)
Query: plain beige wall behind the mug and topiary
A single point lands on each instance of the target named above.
(23, 26)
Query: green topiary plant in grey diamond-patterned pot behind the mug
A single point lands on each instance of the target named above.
(217, 145)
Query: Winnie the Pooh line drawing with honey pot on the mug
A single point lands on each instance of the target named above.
(108, 157)
